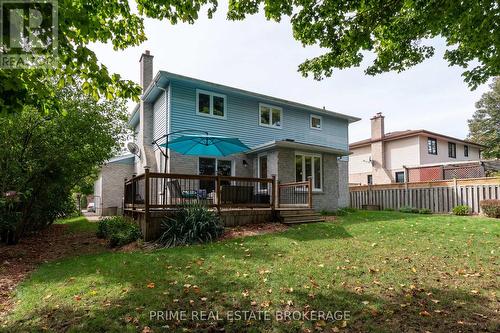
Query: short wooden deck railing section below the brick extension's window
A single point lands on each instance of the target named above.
(297, 194)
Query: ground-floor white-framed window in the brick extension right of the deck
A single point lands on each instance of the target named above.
(309, 165)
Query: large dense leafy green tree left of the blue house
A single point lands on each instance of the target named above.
(45, 156)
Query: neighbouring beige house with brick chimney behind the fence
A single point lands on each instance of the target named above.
(411, 155)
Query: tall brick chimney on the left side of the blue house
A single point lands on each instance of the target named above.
(146, 115)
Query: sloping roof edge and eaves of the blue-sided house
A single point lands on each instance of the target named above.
(163, 78)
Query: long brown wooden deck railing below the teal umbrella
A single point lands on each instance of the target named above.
(156, 191)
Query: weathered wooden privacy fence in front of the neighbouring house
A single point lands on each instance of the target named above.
(438, 196)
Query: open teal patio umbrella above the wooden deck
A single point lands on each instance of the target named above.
(206, 145)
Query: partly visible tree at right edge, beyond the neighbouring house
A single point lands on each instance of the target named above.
(484, 127)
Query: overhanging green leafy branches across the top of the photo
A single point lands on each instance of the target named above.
(396, 30)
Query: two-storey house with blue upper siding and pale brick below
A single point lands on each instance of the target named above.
(290, 140)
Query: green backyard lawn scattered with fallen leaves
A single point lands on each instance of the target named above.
(391, 271)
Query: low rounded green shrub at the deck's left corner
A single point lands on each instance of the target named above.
(118, 230)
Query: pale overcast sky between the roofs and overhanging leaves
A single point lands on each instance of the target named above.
(262, 56)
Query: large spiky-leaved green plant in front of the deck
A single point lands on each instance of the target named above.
(191, 225)
